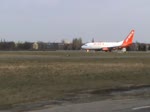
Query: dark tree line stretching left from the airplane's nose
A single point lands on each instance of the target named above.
(10, 45)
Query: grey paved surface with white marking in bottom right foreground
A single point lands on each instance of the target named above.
(126, 105)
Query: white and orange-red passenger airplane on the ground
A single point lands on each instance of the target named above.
(109, 46)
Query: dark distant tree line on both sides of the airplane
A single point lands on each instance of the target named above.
(74, 45)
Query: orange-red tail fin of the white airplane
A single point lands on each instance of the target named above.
(129, 39)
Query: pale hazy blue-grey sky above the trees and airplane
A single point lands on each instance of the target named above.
(54, 20)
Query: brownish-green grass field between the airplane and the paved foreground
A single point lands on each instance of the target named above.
(37, 76)
